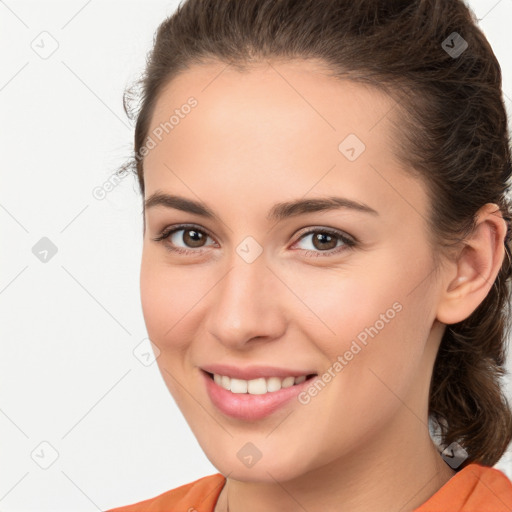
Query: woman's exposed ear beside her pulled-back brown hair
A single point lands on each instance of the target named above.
(471, 275)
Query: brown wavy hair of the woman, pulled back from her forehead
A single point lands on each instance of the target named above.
(450, 131)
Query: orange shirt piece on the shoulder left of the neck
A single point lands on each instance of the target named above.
(198, 496)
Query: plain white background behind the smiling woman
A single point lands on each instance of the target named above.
(69, 326)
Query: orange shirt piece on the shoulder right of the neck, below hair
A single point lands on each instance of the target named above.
(475, 488)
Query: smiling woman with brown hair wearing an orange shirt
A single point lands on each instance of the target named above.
(310, 375)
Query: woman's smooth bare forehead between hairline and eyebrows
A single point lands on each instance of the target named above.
(286, 126)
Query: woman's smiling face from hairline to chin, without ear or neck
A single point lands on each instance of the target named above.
(341, 286)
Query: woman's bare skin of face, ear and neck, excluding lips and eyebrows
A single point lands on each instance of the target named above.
(263, 137)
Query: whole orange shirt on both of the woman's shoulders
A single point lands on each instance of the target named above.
(474, 488)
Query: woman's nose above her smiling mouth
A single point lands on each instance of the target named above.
(247, 305)
